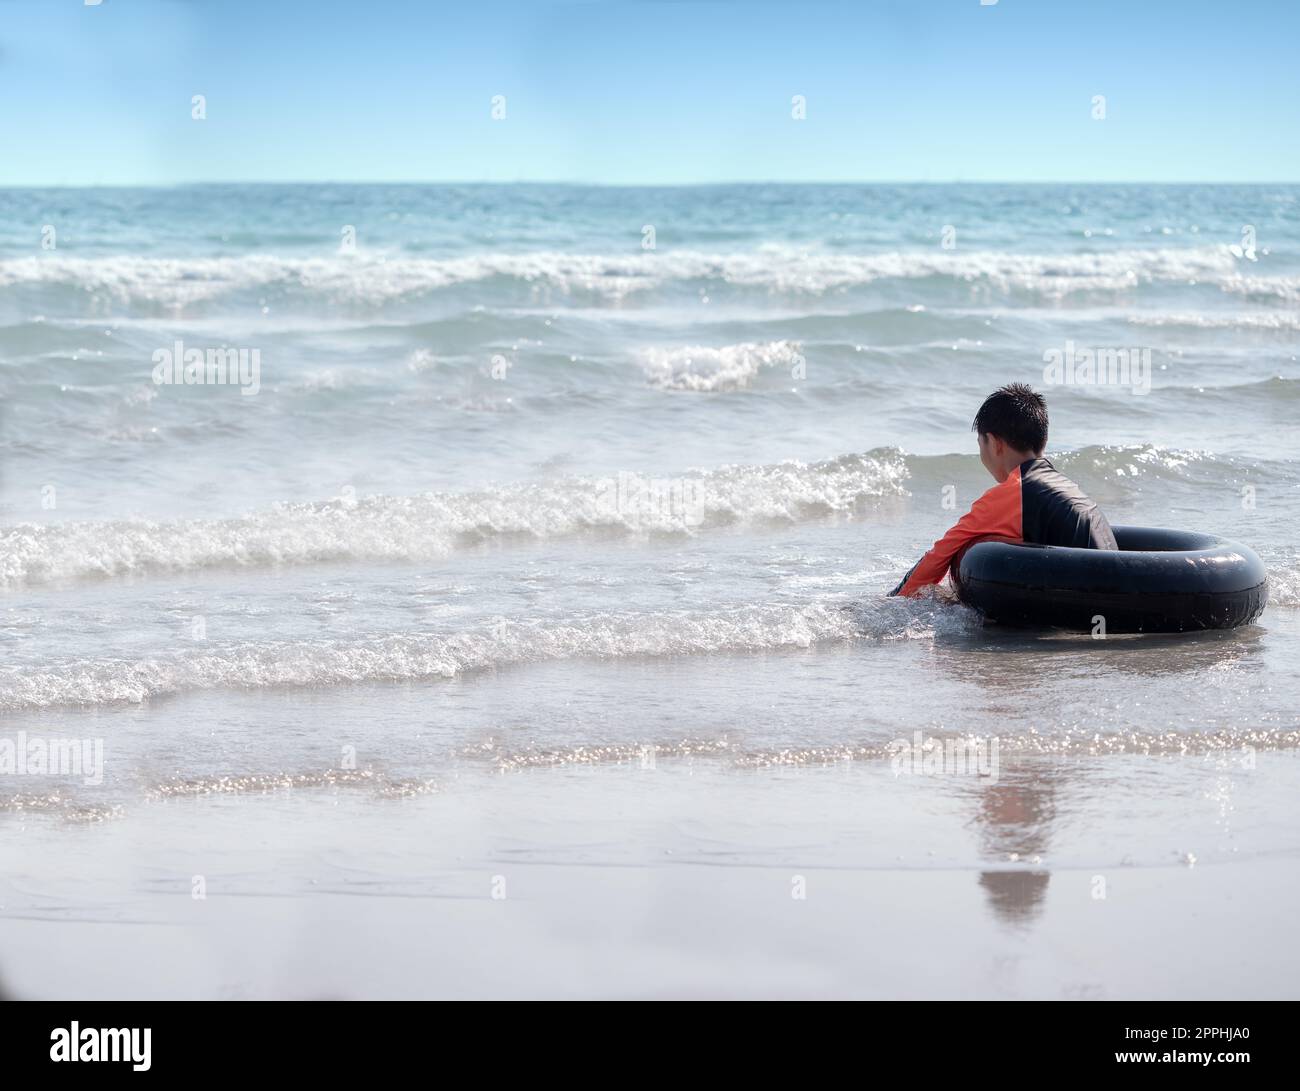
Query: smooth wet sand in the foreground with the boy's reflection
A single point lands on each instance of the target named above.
(1076, 878)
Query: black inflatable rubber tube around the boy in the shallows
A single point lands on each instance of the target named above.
(1158, 582)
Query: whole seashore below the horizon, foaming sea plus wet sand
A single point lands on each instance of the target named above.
(497, 605)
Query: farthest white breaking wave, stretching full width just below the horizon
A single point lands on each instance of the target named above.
(375, 280)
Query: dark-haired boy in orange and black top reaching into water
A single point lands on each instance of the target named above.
(1032, 503)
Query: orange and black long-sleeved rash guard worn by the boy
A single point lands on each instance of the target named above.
(1035, 504)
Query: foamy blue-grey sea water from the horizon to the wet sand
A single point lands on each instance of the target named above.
(519, 496)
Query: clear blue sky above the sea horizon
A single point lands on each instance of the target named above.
(648, 93)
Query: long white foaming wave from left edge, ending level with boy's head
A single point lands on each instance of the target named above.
(387, 529)
